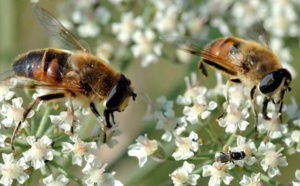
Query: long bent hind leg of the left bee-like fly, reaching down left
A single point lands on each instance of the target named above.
(47, 97)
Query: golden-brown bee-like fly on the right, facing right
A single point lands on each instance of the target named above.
(242, 61)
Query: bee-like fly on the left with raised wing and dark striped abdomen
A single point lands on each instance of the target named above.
(76, 75)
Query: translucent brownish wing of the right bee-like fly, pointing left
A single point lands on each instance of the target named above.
(196, 46)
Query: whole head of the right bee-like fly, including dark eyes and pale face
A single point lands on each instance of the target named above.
(275, 84)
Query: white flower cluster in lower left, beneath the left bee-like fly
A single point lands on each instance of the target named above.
(42, 151)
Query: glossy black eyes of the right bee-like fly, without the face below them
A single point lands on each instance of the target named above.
(272, 81)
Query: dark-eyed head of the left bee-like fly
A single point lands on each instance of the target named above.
(118, 98)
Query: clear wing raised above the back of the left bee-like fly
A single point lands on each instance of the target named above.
(56, 29)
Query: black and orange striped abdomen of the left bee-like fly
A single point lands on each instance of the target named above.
(42, 65)
